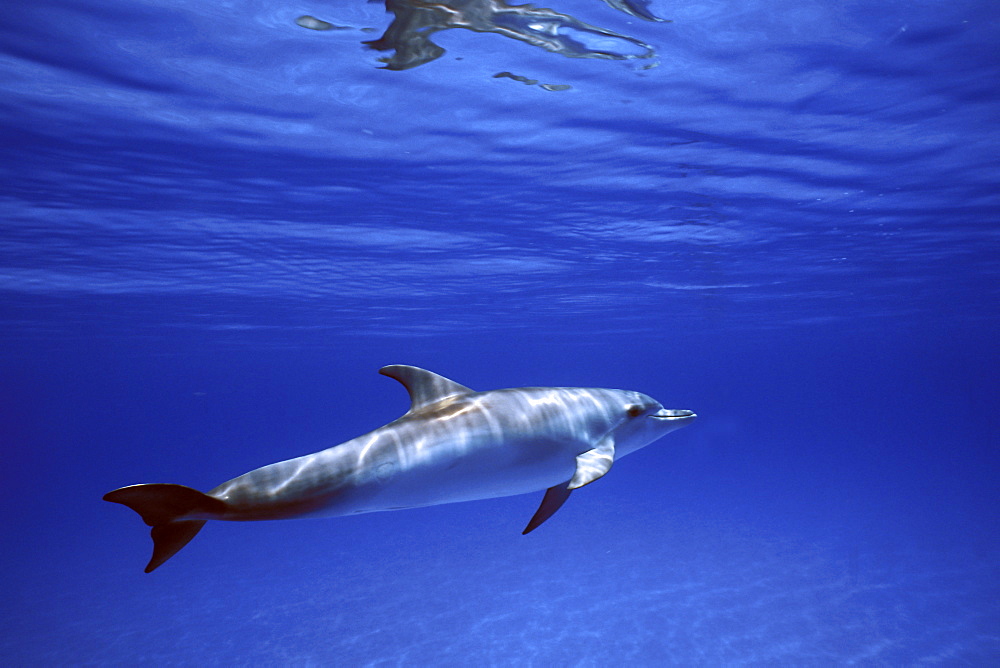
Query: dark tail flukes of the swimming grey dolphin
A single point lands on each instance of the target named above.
(163, 507)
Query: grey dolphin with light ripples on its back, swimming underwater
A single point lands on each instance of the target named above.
(454, 444)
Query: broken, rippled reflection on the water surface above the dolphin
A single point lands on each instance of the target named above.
(409, 34)
